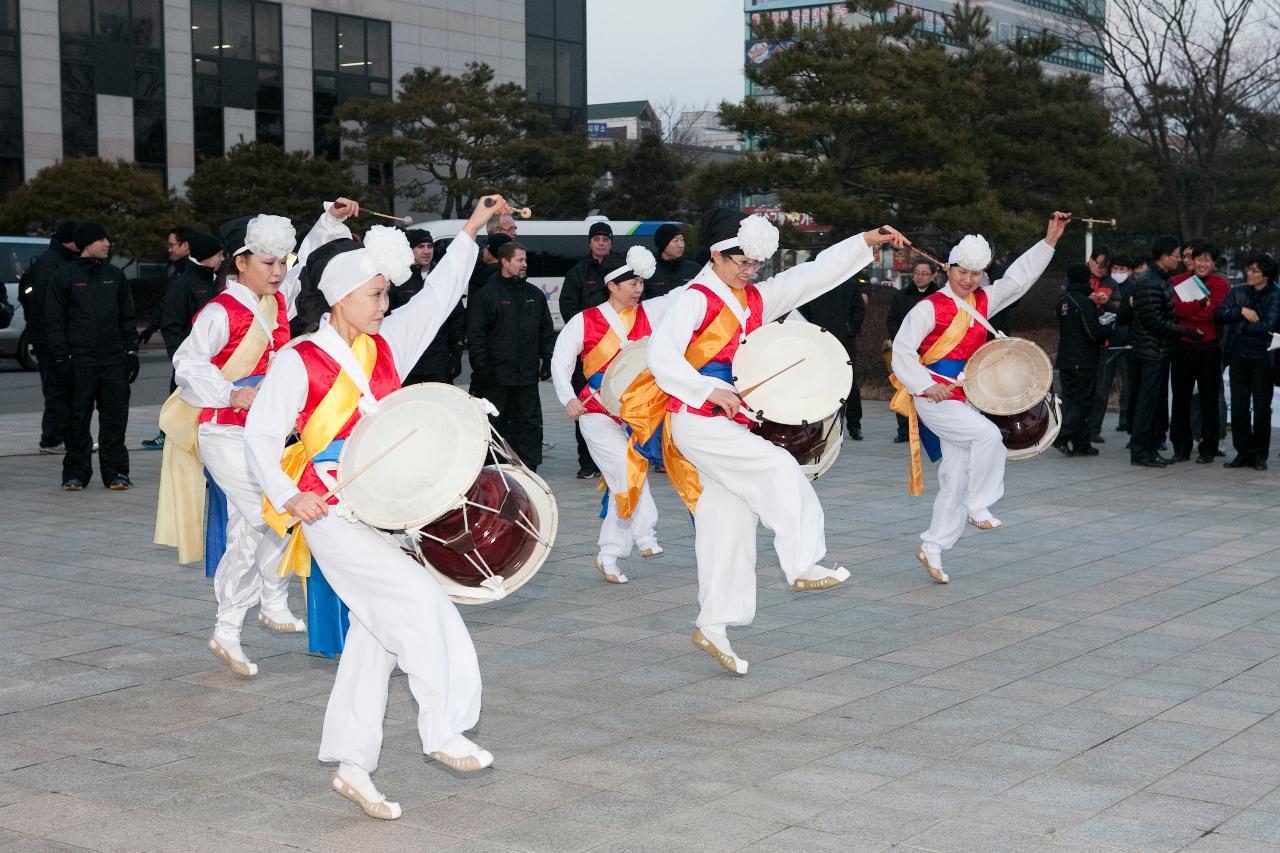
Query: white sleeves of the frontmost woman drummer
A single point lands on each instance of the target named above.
(408, 332)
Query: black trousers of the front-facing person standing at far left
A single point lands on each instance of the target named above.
(107, 389)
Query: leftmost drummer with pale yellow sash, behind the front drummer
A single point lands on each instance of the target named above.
(217, 371)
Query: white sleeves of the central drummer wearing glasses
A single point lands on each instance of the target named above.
(780, 295)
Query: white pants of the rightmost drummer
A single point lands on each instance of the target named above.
(972, 473)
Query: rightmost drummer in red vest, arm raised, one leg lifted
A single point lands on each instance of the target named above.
(930, 352)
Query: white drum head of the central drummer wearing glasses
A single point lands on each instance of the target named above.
(808, 393)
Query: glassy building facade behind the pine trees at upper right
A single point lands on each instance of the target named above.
(1011, 20)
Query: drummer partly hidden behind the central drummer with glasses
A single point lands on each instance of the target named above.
(607, 439)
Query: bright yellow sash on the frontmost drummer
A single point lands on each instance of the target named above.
(335, 410)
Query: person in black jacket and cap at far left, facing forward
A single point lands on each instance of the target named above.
(93, 341)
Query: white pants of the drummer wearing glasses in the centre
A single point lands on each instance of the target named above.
(746, 480)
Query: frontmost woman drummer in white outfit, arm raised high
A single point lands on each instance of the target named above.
(400, 615)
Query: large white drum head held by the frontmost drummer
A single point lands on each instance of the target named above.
(428, 473)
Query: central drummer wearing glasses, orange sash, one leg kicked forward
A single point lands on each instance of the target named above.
(729, 477)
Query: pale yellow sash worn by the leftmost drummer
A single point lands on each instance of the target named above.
(181, 503)
